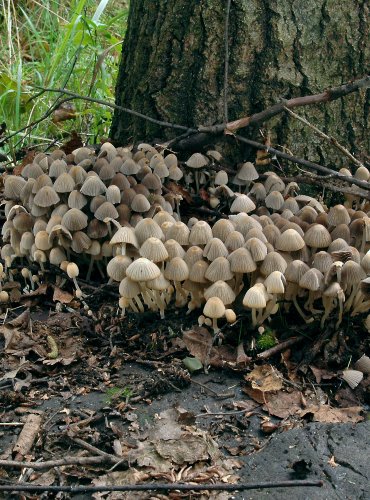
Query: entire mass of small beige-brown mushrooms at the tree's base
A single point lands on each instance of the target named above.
(277, 248)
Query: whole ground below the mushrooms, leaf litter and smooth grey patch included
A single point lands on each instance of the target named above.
(118, 390)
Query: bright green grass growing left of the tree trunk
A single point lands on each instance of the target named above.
(74, 44)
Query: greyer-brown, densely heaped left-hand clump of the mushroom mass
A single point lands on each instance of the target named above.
(56, 209)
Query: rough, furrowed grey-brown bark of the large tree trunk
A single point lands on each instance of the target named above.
(172, 68)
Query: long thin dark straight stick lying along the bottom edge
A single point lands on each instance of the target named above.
(163, 487)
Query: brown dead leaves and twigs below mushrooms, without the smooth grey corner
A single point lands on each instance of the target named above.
(51, 359)
